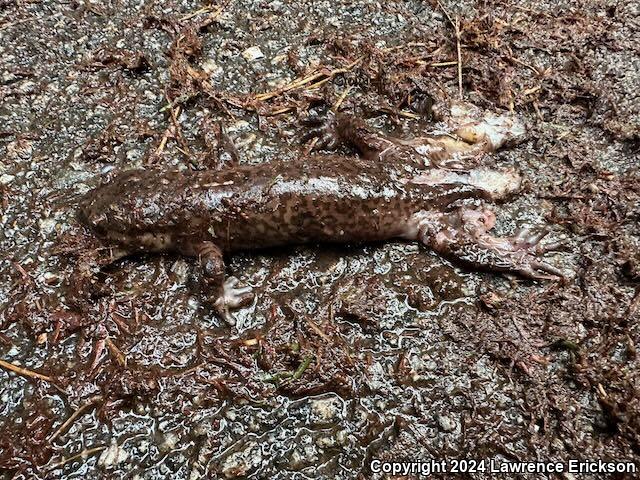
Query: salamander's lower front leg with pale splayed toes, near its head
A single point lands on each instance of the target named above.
(225, 294)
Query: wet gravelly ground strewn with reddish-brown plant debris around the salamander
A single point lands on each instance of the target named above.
(348, 354)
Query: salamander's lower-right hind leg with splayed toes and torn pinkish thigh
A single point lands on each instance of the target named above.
(463, 236)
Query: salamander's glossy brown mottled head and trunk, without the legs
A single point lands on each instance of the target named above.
(317, 199)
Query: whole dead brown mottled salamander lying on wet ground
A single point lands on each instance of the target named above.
(398, 189)
